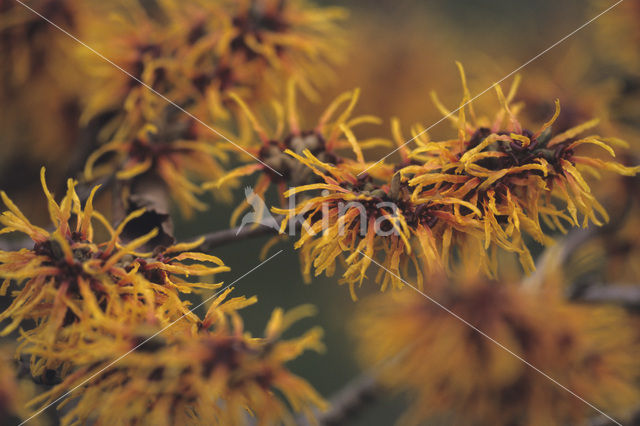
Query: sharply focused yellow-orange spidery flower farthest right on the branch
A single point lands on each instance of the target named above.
(513, 175)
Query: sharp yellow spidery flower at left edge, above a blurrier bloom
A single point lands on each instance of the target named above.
(69, 278)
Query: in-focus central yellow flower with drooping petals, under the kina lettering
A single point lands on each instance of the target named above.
(356, 220)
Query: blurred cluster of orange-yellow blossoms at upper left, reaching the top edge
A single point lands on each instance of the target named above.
(199, 56)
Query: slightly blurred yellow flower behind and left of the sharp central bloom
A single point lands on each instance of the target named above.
(330, 138)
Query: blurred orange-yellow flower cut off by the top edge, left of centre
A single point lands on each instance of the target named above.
(252, 47)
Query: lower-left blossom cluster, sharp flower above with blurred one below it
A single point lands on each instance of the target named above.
(93, 301)
